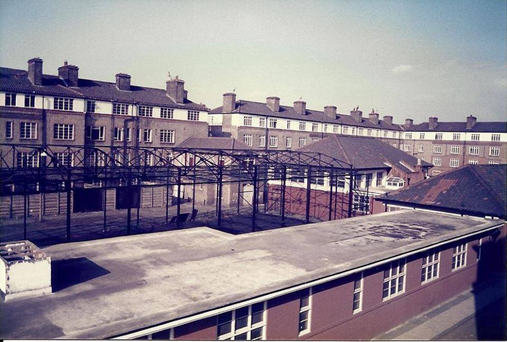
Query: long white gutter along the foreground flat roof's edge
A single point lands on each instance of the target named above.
(217, 311)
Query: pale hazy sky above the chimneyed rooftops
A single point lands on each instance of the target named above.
(409, 59)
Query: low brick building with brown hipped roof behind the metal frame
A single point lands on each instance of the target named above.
(378, 167)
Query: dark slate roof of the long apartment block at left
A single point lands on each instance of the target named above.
(17, 81)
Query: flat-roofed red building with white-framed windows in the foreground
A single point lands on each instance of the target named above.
(348, 279)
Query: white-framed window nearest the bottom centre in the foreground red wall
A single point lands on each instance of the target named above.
(242, 324)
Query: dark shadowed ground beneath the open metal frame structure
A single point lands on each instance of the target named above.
(90, 226)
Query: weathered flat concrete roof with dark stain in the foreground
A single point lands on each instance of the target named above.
(109, 287)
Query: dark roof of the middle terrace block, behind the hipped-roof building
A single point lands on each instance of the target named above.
(286, 112)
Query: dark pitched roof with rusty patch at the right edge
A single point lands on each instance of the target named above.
(479, 189)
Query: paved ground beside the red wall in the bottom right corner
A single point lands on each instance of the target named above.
(477, 314)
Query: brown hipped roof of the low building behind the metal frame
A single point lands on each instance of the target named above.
(364, 152)
